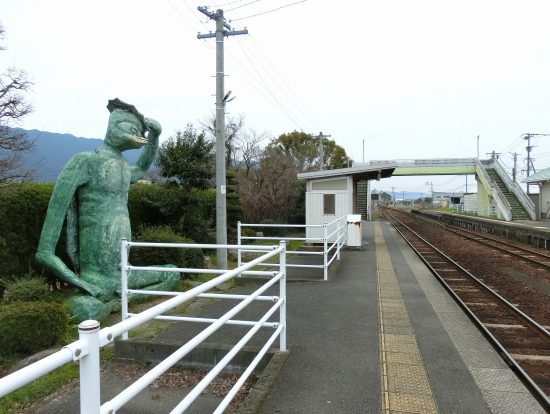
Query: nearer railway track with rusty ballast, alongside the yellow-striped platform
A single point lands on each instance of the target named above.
(521, 342)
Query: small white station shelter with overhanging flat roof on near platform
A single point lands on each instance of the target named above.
(335, 193)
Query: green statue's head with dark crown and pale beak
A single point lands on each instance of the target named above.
(127, 127)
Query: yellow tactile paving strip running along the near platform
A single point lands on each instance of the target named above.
(405, 385)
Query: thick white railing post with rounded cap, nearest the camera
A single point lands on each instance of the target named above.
(90, 397)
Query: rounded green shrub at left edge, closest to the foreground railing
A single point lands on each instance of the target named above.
(28, 327)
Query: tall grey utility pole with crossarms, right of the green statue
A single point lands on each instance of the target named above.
(221, 98)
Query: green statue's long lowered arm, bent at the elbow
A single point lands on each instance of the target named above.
(73, 176)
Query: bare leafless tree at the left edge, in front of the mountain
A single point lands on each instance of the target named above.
(13, 107)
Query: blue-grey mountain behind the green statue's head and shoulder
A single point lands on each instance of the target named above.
(53, 150)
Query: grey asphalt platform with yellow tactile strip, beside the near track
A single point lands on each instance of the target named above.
(380, 336)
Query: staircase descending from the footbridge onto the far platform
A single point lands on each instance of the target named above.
(519, 206)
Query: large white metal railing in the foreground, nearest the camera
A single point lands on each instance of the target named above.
(87, 350)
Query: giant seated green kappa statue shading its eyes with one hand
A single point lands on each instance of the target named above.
(92, 193)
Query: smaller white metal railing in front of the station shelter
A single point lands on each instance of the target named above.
(334, 237)
